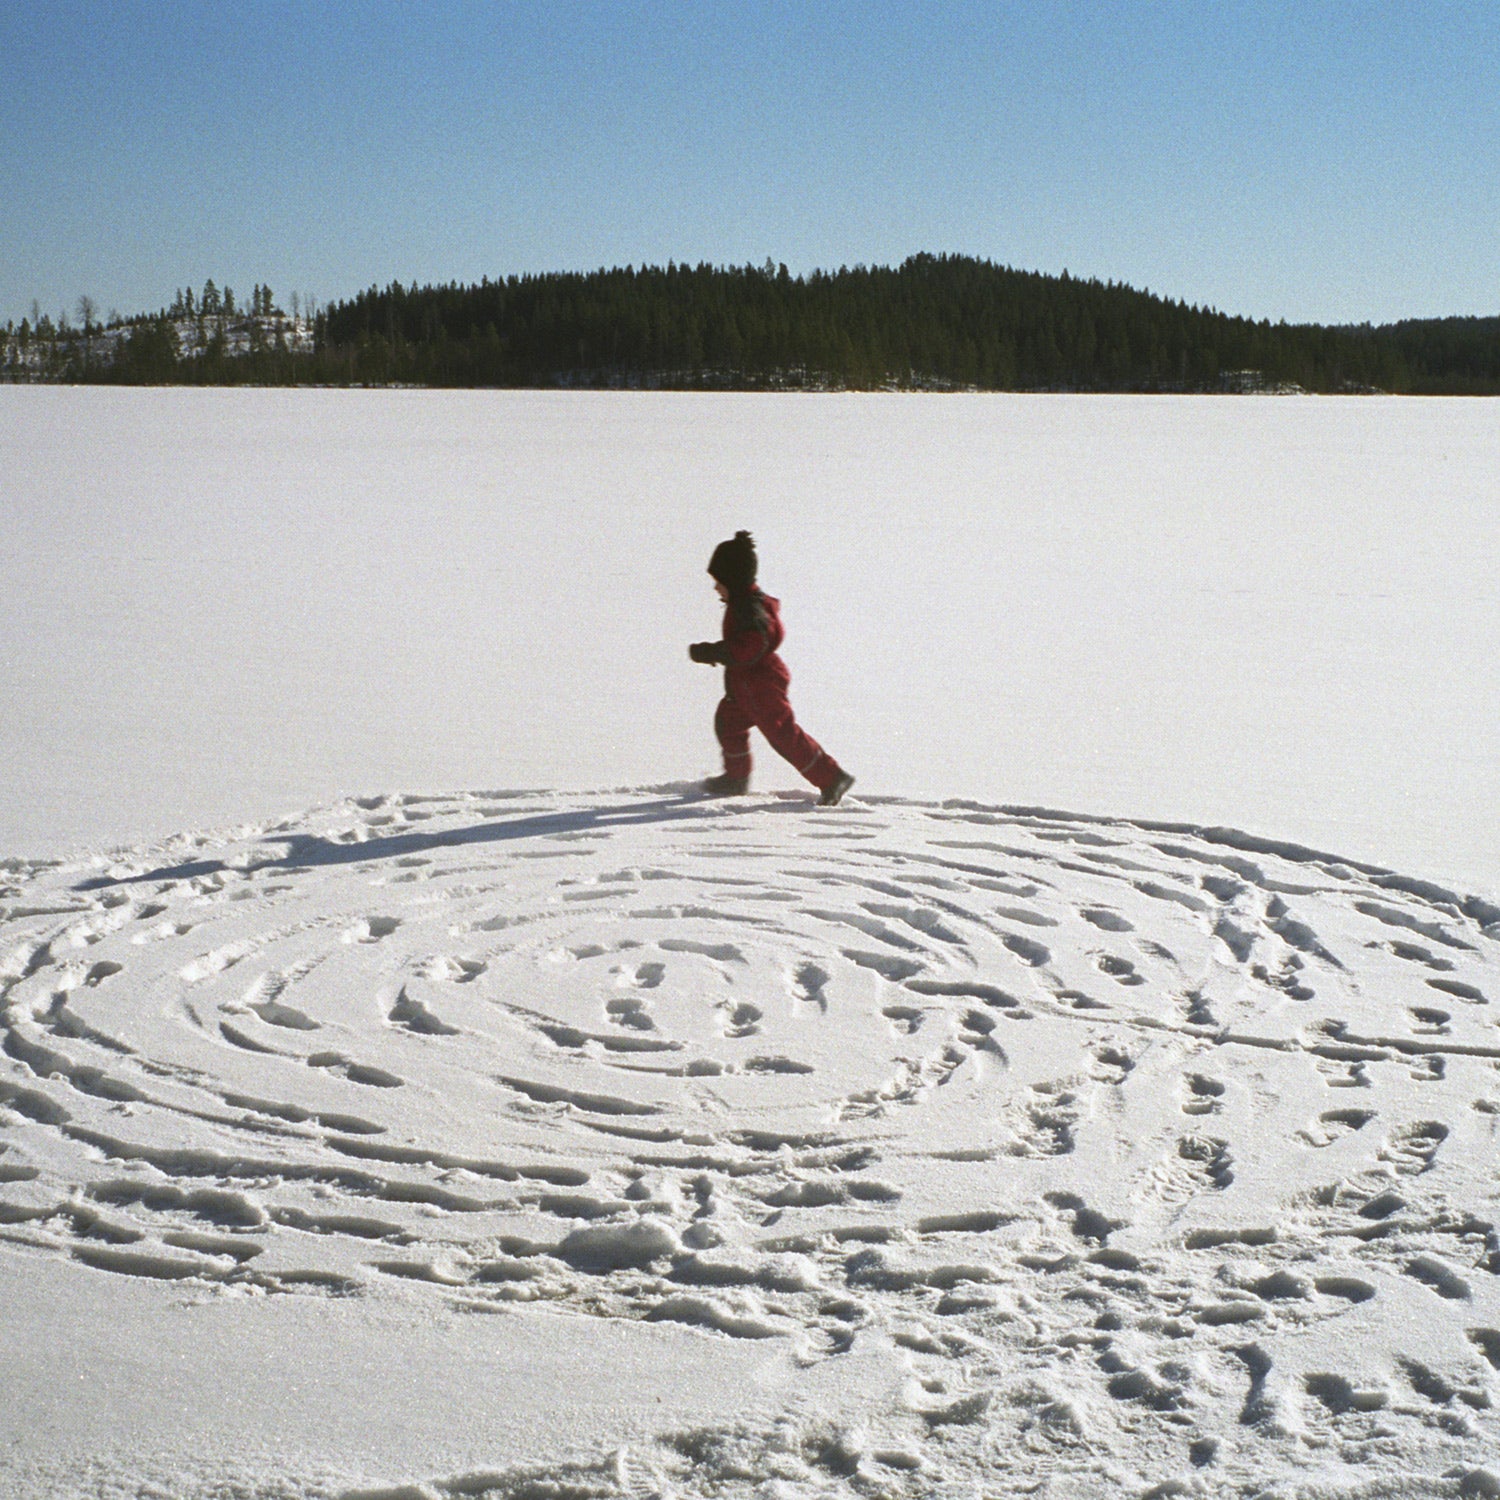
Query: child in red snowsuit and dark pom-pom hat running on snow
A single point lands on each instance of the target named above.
(757, 680)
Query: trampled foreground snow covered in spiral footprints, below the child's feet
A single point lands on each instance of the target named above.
(997, 1148)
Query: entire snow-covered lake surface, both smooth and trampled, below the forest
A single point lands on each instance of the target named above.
(607, 1141)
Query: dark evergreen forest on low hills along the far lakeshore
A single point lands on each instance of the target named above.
(935, 322)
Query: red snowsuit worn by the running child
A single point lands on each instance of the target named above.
(755, 697)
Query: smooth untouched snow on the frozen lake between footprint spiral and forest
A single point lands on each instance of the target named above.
(1274, 614)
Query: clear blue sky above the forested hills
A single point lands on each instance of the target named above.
(1316, 160)
